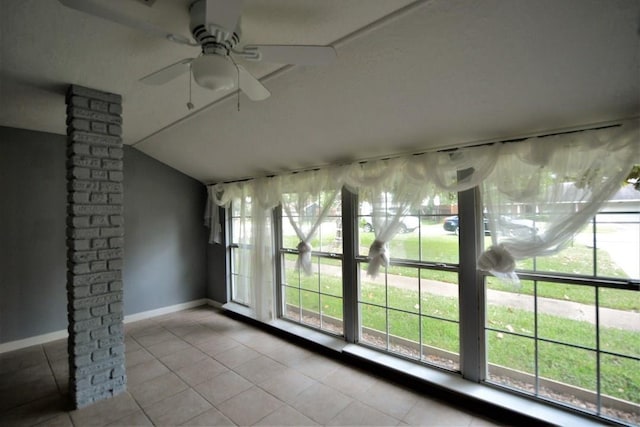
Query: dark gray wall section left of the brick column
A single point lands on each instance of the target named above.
(33, 258)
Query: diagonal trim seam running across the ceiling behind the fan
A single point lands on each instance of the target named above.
(383, 21)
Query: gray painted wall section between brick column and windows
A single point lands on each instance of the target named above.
(165, 244)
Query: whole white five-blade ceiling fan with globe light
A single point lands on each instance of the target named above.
(215, 27)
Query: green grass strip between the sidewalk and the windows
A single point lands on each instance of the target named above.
(620, 376)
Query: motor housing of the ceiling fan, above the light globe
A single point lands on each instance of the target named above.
(213, 37)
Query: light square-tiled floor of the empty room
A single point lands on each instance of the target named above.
(199, 367)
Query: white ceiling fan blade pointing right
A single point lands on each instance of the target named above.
(295, 54)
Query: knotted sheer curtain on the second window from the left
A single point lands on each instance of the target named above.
(306, 200)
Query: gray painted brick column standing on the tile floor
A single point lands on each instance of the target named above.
(95, 240)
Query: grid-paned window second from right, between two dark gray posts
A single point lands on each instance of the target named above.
(411, 308)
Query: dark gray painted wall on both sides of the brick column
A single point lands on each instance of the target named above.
(165, 240)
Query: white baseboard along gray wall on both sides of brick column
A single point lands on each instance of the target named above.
(57, 335)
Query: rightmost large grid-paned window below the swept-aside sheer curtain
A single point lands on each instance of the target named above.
(571, 331)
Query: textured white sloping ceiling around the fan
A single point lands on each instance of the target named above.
(435, 74)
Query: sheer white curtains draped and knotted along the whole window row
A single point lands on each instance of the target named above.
(564, 178)
